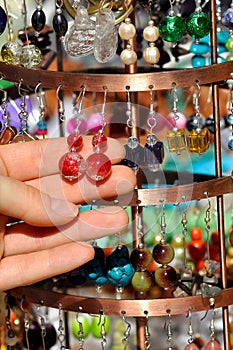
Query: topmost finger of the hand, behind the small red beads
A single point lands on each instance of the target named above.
(29, 160)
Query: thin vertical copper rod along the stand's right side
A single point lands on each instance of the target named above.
(218, 170)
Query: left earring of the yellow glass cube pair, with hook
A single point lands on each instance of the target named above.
(176, 138)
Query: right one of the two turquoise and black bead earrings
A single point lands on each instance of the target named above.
(119, 268)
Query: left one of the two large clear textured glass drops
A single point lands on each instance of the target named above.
(79, 40)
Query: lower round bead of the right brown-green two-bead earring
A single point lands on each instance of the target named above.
(165, 276)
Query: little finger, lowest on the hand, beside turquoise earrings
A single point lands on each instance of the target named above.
(21, 270)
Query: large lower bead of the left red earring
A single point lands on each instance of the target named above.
(72, 165)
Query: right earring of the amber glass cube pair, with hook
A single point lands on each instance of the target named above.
(198, 139)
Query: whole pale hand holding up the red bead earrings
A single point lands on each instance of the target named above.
(52, 238)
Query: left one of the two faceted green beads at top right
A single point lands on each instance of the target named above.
(171, 28)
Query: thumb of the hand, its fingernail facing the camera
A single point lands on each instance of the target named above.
(27, 203)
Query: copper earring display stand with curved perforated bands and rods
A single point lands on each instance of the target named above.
(216, 187)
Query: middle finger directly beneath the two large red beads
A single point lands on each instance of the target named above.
(121, 181)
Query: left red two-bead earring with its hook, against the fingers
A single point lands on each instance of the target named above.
(72, 165)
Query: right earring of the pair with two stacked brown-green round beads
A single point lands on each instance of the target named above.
(163, 253)
